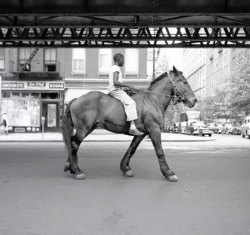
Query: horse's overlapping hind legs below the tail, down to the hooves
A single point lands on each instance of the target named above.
(72, 162)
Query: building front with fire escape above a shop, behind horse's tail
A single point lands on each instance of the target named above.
(32, 89)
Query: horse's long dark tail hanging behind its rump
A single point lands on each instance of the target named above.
(67, 127)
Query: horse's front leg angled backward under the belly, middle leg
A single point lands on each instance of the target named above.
(124, 166)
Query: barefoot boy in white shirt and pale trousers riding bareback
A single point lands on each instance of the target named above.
(115, 90)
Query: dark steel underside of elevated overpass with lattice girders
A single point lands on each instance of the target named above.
(141, 23)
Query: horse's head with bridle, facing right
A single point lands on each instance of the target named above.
(182, 90)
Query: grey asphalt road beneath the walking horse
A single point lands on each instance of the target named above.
(212, 195)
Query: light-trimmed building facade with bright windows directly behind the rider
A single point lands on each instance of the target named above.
(88, 70)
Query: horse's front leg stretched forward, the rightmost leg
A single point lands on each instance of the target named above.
(156, 140)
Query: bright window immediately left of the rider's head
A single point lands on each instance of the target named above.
(105, 60)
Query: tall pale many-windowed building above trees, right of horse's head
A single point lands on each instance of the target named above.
(208, 70)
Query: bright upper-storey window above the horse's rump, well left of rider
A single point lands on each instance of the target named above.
(79, 58)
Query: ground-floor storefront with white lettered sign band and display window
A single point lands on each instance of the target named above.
(26, 102)
